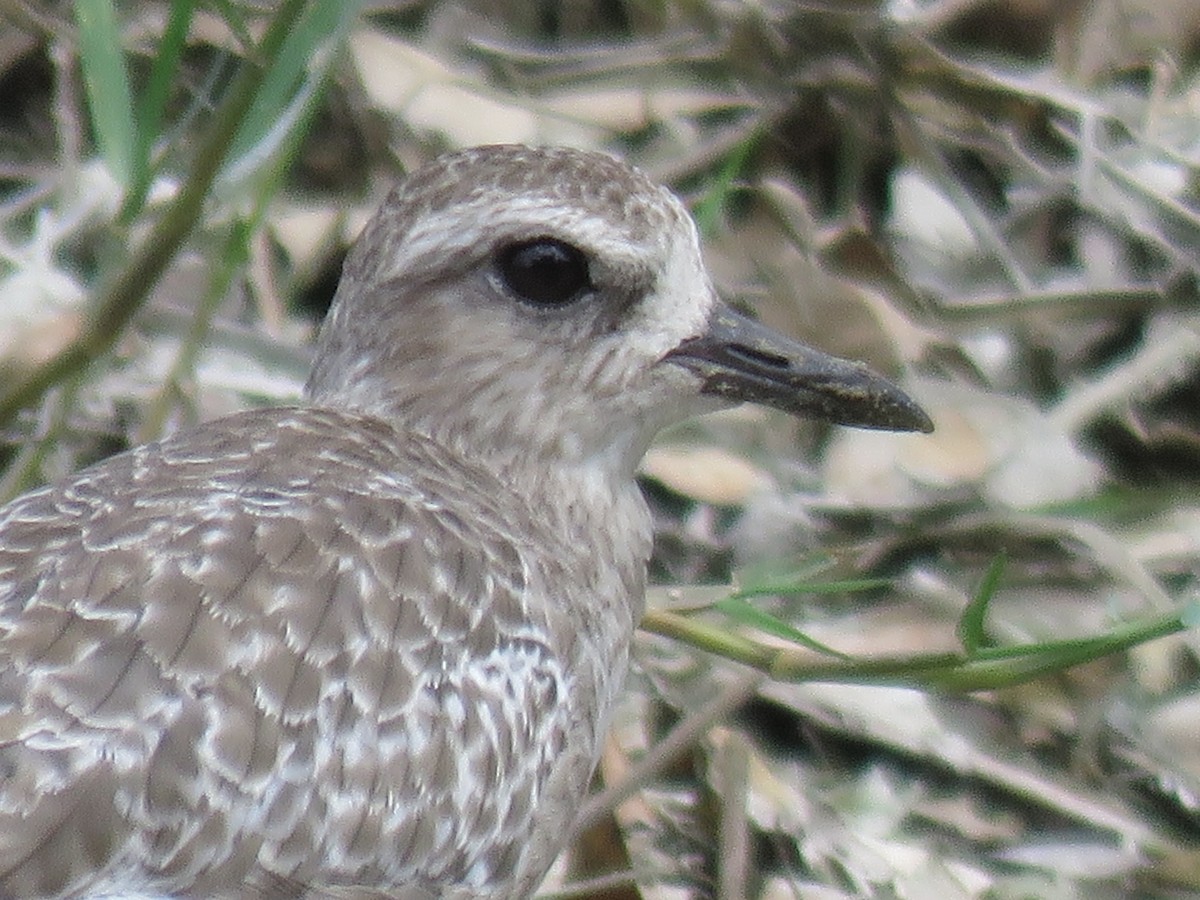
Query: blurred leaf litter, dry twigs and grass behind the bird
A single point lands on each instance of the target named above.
(994, 202)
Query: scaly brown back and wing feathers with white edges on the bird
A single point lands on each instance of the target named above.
(272, 649)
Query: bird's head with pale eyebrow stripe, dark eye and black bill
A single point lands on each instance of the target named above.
(551, 308)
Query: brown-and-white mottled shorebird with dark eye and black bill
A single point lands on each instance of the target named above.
(368, 645)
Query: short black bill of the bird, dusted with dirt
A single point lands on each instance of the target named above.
(743, 361)
